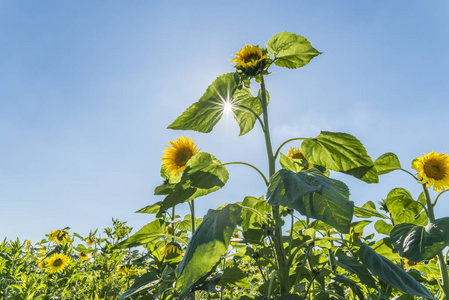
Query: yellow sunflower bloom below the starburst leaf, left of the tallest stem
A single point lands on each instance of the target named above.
(177, 156)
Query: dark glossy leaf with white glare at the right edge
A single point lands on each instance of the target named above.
(419, 243)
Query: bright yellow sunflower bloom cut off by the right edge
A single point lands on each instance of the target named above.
(433, 169)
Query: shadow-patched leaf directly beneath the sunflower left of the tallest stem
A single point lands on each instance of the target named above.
(204, 174)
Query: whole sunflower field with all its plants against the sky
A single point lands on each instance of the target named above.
(301, 238)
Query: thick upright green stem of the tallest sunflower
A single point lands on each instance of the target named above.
(278, 242)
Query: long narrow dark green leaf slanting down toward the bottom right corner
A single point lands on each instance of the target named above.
(391, 273)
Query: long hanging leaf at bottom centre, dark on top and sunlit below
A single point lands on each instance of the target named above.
(209, 242)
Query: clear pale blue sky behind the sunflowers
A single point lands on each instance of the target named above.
(87, 90)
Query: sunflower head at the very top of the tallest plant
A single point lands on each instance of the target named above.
(251, 60)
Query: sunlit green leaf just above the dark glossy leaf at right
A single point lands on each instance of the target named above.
(404, 209)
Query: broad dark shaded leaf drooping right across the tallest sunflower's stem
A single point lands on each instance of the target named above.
(314, 195)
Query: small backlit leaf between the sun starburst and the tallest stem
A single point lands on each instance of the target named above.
(242, 101)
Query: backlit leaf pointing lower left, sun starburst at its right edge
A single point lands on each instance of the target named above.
(203, 115)
